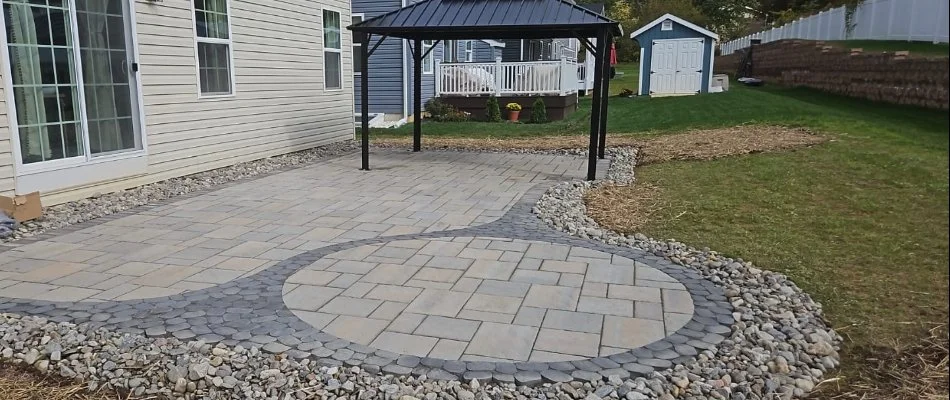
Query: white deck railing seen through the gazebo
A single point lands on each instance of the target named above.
(510, 78)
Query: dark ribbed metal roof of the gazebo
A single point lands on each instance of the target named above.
(489, 19)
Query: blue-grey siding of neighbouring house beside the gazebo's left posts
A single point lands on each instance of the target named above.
(385, 65)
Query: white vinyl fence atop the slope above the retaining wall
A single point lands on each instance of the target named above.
(911, 20)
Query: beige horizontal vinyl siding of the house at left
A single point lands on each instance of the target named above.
(279, 104)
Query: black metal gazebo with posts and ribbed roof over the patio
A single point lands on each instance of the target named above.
(438, 20)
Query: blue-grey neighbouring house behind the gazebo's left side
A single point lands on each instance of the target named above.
(390, 88)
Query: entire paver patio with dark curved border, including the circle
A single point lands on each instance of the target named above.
(431, 260)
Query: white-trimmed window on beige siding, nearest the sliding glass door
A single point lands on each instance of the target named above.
(213, 42)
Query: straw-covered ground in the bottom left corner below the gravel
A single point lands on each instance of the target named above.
(17, 382)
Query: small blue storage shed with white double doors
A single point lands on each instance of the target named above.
(676, 57)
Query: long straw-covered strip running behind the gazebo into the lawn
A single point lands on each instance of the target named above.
(690, 145)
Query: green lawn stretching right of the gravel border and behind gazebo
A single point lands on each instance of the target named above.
(860, 222)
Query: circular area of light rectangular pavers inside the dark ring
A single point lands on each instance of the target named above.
(488, 299)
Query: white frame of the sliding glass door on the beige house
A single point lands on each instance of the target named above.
(85, 168)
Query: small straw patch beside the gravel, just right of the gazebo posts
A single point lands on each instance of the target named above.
(623, 209)
